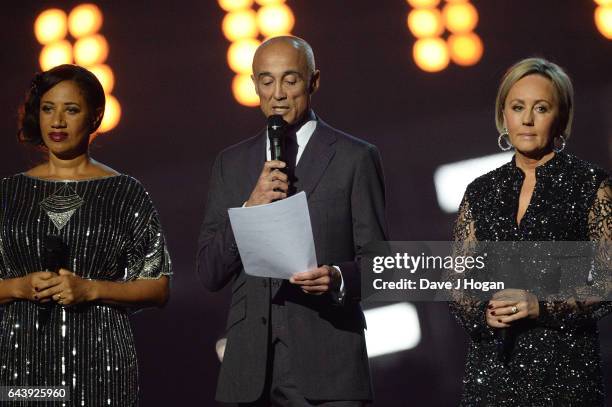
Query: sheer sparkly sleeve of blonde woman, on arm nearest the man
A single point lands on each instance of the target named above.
(469, 312)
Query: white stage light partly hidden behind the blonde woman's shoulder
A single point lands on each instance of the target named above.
(452, 179)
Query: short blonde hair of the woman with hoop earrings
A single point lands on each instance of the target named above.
(553, 72)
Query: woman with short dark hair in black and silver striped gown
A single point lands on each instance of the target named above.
(80, 246)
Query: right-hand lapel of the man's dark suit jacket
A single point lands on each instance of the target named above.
(316, 157)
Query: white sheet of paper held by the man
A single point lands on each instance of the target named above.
(275, 240)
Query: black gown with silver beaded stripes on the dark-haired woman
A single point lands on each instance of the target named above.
(113, 233)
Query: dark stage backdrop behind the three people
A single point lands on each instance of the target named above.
(173, 83)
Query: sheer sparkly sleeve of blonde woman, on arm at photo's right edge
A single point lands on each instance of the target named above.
(577, 313)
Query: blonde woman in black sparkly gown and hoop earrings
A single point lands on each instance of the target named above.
(525, 350)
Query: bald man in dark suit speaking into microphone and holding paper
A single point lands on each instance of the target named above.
(297, 342)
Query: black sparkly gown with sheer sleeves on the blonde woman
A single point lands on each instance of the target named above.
(555, 359)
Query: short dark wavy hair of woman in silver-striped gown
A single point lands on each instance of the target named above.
(29, 125)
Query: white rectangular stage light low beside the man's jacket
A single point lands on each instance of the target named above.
(392, 328)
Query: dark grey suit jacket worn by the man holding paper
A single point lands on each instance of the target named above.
(343, 179)
